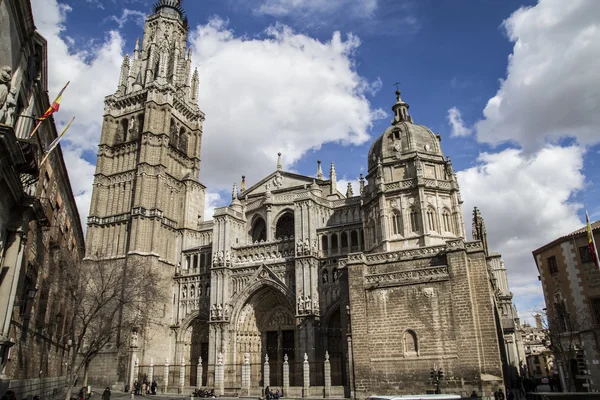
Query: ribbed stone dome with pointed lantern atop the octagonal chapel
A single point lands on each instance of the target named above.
(404, 137)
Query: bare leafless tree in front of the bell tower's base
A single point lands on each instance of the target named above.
(106, 297)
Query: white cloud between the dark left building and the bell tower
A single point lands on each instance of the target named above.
(93, 74)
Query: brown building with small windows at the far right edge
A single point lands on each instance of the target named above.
(571, 284)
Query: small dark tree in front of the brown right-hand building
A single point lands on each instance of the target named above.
(565, 331)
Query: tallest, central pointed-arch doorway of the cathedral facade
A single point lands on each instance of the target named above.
(266, 326)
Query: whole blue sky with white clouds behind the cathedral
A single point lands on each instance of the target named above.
(512, 86)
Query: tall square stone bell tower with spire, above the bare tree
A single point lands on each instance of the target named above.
(146, 198)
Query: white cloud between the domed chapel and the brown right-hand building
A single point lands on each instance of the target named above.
(525, 202)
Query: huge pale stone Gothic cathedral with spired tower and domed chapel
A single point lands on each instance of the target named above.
(293, 285)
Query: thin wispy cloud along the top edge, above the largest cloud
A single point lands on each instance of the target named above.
(281, 8)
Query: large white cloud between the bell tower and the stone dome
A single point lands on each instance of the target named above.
(284, 92)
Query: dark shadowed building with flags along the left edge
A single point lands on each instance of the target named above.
(40, 230)
